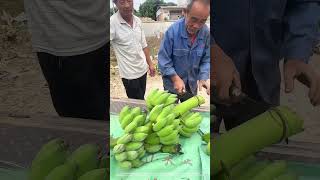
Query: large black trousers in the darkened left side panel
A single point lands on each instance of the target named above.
(78, 84)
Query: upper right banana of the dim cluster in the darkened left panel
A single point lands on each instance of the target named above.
(86, 157)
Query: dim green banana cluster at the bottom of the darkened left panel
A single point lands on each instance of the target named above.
(54, 161)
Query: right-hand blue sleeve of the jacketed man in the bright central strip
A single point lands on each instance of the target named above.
(205, 61)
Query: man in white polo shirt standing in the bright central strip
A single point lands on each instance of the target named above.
(129, 43)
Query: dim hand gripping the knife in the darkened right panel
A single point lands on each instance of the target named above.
(224, 72)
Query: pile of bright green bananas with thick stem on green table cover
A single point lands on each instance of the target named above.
(159, 131)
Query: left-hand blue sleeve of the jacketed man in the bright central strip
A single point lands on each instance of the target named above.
(165, 53)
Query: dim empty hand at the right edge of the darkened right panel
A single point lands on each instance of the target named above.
(295, 69)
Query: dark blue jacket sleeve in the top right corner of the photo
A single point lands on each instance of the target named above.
(302, 18)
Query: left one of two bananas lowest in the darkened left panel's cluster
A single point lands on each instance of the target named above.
(65, 171)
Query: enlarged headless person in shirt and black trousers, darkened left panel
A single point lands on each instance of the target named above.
(70, 39)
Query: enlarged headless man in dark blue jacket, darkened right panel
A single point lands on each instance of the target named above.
(252, 36)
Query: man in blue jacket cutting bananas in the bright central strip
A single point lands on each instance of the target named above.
(184, 55)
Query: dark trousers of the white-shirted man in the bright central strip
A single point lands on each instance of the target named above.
(135, 88)
